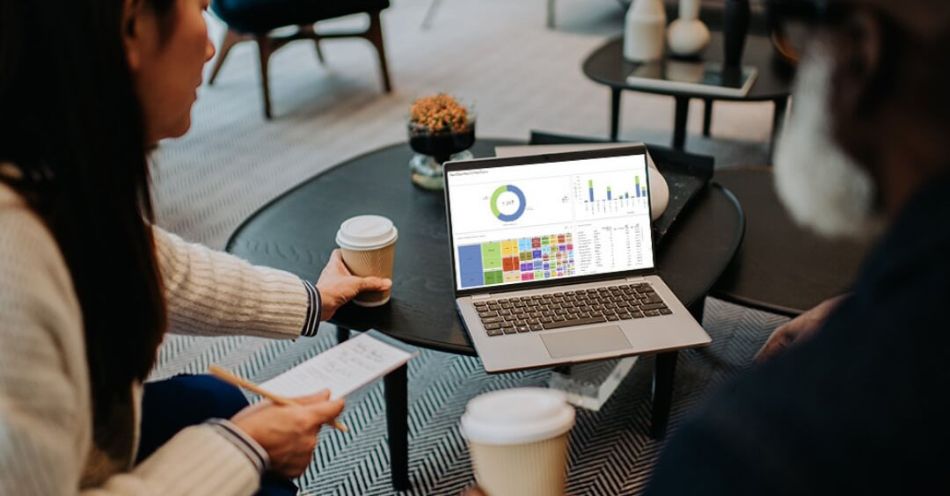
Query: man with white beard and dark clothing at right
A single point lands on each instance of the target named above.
(852, 397)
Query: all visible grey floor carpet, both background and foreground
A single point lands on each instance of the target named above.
(521, 76)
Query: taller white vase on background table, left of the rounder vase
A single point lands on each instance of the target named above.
(644, 31)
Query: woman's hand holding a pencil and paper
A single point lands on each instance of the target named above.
(288, 433)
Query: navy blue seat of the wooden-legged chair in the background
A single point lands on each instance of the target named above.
(261, 16)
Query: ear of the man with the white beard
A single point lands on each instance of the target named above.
(857, 50)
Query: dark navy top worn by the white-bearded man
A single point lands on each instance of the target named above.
(862, 408)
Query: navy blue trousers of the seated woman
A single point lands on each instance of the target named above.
(173, 404)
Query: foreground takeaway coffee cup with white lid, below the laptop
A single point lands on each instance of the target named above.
(519, 439)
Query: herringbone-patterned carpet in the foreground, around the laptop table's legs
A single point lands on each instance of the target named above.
(611, 450)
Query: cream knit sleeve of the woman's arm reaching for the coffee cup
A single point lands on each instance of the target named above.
(213, 293)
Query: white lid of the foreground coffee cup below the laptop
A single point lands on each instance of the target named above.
(517, 416)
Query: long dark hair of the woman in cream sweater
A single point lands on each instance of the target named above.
(73, 125)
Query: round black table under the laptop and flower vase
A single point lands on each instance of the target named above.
(296, 232)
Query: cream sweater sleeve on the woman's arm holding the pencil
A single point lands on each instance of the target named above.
(45, 410)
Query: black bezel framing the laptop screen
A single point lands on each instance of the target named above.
(487, 163)
